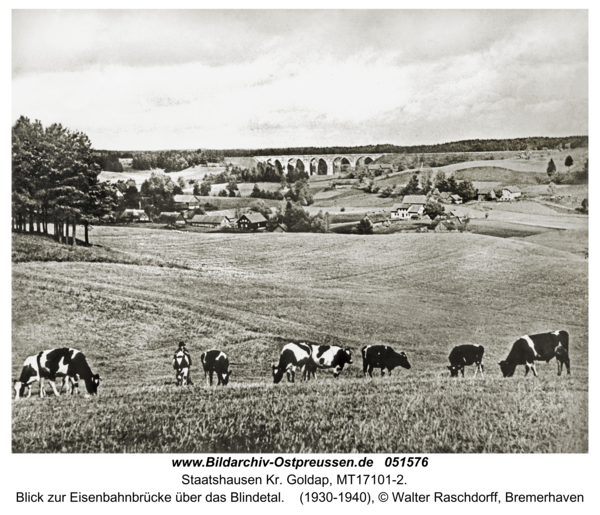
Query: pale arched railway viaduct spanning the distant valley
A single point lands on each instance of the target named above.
(318, 164)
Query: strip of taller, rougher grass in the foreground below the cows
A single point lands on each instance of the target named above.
(405, 413)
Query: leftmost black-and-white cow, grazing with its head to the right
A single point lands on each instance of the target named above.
(50, 364)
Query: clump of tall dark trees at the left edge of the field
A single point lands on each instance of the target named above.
(55, 181)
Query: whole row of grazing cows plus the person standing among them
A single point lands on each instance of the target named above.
(72, 366)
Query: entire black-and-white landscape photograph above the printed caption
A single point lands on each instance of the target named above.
(299, 232)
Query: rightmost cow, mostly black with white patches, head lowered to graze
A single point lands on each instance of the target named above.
(537, 347)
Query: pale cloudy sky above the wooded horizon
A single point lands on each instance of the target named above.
(159, 79)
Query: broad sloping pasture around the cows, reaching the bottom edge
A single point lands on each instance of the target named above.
(248, 296)
